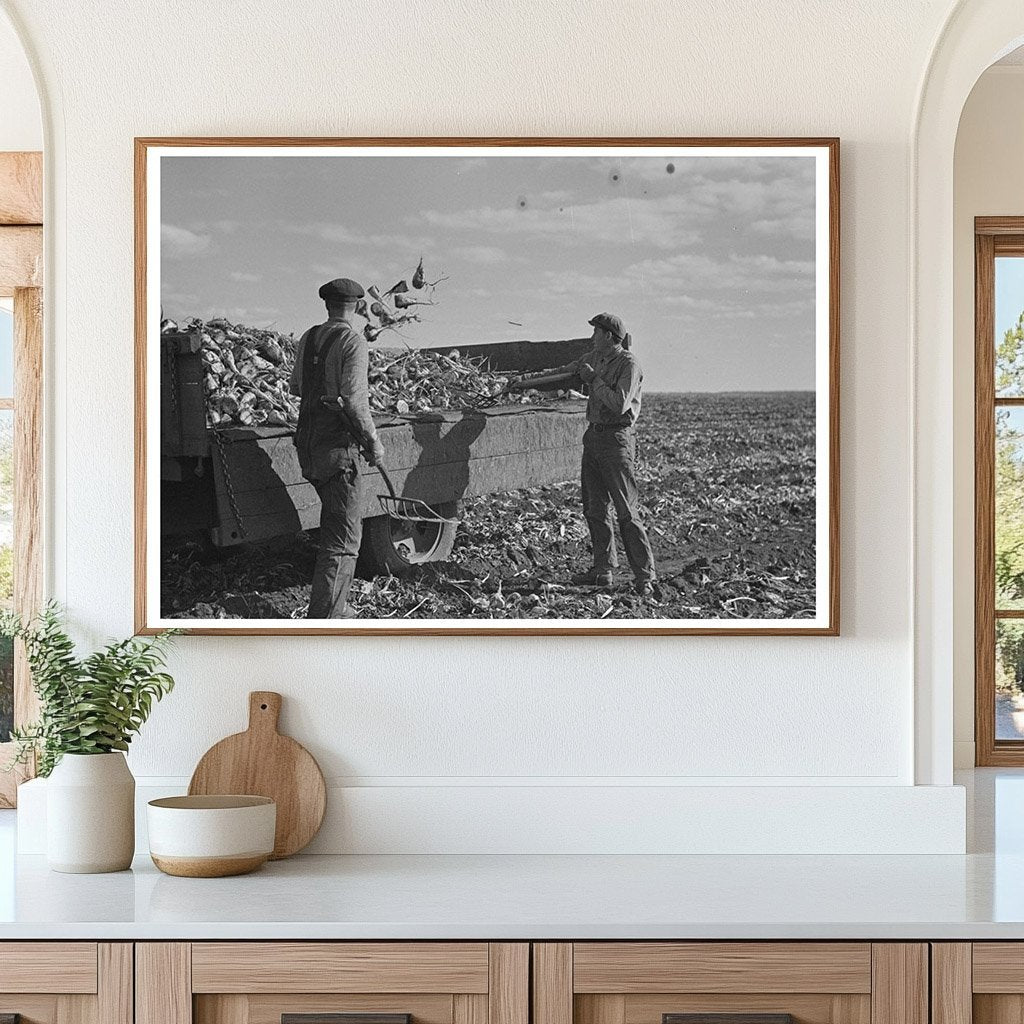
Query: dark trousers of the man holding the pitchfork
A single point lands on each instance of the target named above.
(340, 534)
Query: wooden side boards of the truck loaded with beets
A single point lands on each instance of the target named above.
(244, 484)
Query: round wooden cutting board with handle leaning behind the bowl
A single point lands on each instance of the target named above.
(261, 762)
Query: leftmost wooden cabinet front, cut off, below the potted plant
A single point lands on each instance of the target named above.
(66, 984)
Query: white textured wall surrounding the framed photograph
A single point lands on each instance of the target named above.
(430, 716)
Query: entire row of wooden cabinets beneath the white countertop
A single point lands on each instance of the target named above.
(513, 983)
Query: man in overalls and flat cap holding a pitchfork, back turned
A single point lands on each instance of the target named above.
(330, 376)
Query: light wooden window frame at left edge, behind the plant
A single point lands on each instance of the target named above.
(22, 280)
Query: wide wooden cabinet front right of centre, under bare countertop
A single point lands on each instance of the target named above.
(731, 984)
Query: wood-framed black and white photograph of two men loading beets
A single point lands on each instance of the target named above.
(518, 387)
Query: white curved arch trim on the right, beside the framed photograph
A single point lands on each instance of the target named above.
(977, 33)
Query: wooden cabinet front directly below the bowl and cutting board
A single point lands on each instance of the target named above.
(333, 984)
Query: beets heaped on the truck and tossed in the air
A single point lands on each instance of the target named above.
(248, 370)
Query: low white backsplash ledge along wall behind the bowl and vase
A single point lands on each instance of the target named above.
(681, 820)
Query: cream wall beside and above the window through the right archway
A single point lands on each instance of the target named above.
(988, 183)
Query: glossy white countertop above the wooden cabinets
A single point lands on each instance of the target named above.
(977, 897)
